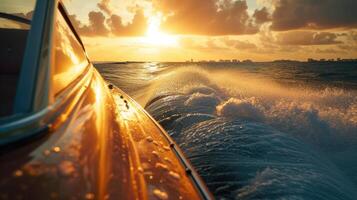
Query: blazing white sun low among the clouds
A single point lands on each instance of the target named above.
(155, 37)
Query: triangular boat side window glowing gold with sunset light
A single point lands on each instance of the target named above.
(70, 58)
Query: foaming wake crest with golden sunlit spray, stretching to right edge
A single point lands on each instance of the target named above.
(302, 112)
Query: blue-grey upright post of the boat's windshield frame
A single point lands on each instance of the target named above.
(32, 69)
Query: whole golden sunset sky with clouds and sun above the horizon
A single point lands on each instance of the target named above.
(180, 30)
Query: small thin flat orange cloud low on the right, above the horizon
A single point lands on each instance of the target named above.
(307, 38)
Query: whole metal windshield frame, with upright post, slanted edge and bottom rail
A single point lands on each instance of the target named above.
(36, 107)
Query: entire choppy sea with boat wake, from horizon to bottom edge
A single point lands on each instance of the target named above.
(283, 130)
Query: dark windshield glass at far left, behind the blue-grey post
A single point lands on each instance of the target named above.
(15, 23)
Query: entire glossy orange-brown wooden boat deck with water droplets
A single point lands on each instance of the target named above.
(103, 146)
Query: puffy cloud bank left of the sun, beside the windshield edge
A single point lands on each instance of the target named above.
(108, 20)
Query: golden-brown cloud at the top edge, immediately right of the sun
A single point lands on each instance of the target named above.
(211, 17)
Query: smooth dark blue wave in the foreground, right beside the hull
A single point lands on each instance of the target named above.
(247, 160)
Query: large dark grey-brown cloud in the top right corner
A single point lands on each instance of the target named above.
(315, 14)
